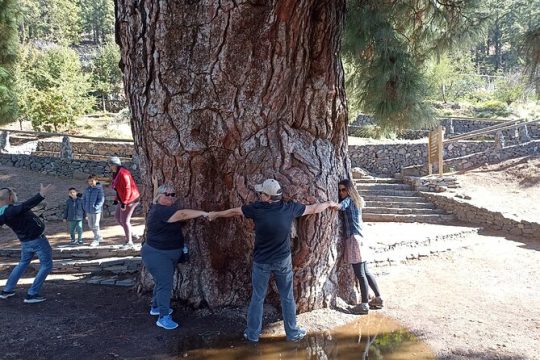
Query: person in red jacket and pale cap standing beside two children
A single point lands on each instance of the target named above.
(127, 196)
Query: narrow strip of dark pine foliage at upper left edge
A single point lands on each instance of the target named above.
(8, 56)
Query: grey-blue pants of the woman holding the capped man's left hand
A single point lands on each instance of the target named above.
(161, 264)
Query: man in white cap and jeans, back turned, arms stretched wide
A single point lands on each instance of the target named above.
(272, 253)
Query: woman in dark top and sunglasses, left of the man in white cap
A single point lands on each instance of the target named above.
(163, 248)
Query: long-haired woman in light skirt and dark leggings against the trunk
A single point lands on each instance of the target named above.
(357, 252)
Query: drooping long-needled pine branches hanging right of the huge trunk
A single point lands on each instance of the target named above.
(385, 46)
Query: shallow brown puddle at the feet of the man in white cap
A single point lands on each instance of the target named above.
(370, 337)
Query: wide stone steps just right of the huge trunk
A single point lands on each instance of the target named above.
(391, 200)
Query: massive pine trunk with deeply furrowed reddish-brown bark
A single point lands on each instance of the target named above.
(223, 95)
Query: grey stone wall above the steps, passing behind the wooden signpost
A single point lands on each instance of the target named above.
(388, 159)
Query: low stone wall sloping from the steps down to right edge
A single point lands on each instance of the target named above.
(484, 217)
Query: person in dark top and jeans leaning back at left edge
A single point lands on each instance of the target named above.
(29, 229)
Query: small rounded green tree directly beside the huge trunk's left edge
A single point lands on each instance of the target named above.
(106, 74)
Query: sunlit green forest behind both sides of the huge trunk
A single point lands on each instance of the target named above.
(59, 66)
